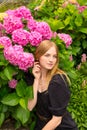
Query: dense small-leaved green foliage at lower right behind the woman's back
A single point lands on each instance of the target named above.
(78, 103)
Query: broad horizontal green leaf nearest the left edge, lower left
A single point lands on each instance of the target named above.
(11, 99)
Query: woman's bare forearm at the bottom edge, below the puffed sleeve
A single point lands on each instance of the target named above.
(53, 123)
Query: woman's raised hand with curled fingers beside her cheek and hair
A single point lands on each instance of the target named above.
(36, 70)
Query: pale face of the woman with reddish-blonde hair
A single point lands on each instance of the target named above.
(49, 59)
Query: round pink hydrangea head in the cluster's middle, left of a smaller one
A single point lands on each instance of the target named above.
(20, 37)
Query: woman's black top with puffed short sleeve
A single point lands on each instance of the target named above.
(54, 101)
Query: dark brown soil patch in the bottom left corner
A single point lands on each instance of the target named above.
(9, 125)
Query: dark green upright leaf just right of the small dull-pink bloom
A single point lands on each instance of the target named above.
(20, 88)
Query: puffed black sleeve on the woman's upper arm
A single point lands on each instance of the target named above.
(59, 95)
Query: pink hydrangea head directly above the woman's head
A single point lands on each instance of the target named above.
(44, 29)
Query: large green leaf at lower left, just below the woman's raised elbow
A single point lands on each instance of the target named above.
(22, 114)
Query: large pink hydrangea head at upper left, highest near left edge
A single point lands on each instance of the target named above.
(12, 23)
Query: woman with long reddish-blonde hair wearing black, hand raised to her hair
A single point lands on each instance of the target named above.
(51, 92)
